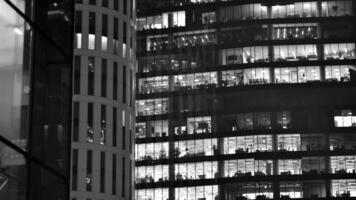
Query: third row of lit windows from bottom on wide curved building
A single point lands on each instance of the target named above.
(245, 144)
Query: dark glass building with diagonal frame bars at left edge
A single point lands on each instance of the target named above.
(35, 101)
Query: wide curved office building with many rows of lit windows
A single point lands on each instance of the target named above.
(246, 100)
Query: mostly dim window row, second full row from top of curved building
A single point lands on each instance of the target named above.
(241, 34)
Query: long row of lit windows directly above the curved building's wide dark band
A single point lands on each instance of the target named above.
(254, 76)
